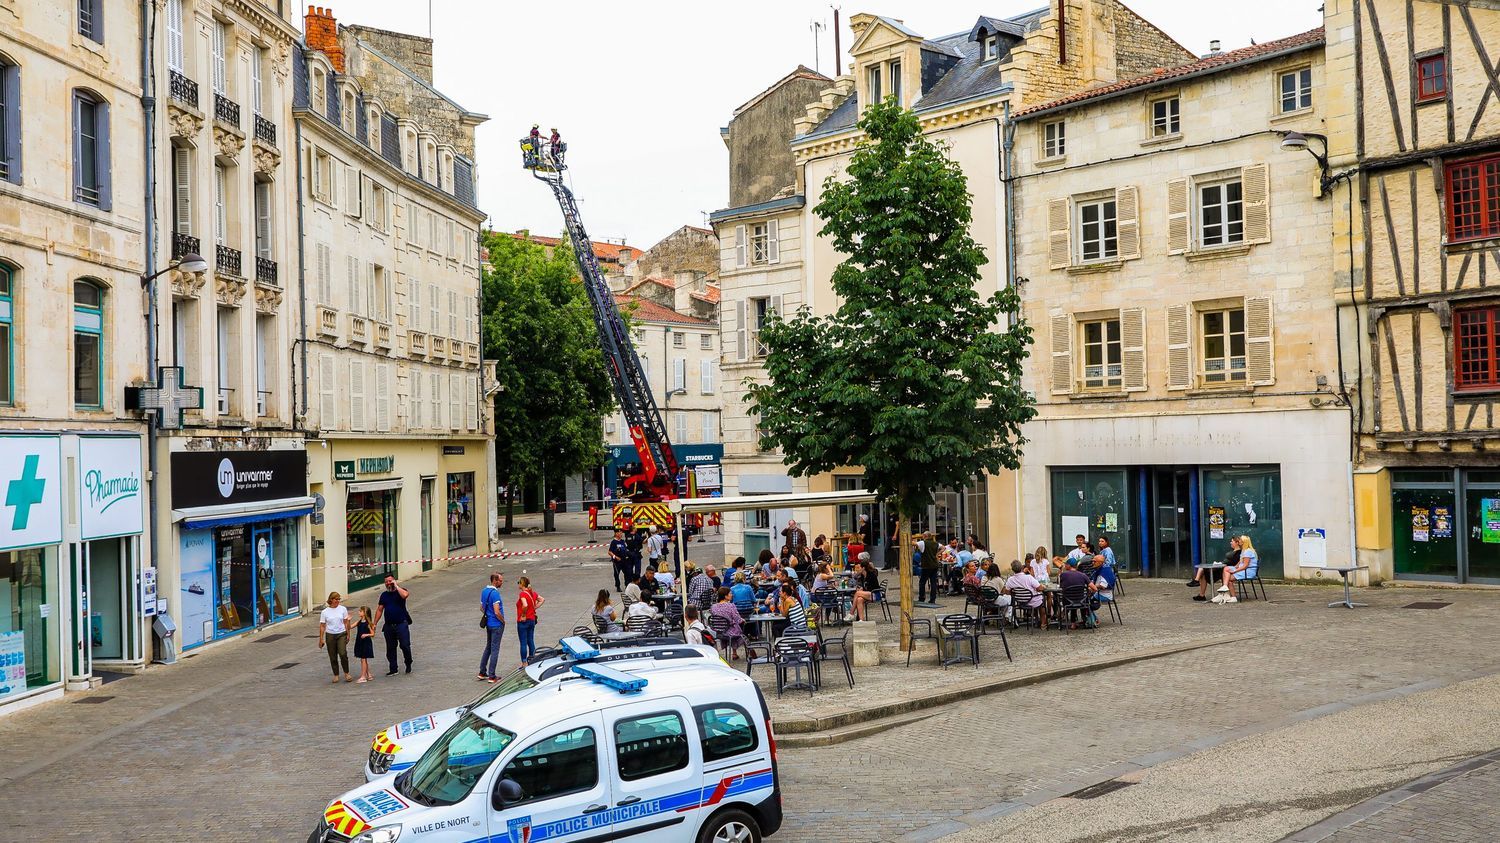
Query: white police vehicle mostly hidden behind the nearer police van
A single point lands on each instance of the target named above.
(401, 745)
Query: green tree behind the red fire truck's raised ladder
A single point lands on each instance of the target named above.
(554, 392)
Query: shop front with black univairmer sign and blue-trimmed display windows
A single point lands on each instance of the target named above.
(239, 521)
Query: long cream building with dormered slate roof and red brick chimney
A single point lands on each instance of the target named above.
(392, 383)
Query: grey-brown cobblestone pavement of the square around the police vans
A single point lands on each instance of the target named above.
(248, 740)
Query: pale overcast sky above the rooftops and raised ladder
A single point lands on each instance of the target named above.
(640, 89)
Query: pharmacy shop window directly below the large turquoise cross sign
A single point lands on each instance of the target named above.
(28, 598)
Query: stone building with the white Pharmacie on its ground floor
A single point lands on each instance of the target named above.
(74, 229)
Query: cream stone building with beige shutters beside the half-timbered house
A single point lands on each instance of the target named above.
(1175, 262)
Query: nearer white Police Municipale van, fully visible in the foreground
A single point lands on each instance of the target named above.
(626, 749)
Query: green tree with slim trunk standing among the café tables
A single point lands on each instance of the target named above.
(917, 377)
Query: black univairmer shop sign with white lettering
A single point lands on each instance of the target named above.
(206, 479)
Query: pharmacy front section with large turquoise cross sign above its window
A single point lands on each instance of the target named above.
(32, 608)
